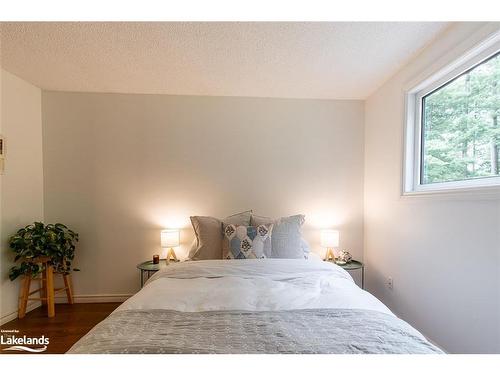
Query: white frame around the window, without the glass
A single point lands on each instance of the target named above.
(413, 131)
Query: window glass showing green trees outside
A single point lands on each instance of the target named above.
(462, 126)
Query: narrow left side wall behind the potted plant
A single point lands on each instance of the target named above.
(22, 180)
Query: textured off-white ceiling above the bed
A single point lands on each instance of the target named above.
(297, 60)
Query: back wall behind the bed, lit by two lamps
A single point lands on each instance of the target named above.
(118, 168)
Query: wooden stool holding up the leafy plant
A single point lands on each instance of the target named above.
(46, 289)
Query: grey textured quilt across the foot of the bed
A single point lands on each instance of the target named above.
(295, 331)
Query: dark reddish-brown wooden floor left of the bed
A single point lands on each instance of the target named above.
(67, 327)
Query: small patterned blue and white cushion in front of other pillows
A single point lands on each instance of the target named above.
(246, 242)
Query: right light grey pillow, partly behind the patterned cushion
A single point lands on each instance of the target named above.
(286, 241)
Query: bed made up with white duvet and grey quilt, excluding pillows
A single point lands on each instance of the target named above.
(253, 306)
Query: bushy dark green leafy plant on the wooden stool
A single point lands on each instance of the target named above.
(37, 240)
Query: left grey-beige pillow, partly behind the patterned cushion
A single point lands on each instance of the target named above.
(208, 234)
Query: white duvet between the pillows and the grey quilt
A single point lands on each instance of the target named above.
(252, 285)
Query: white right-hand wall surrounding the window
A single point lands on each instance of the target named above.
(443, 252)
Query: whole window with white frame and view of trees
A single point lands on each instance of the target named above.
(453, 132)
